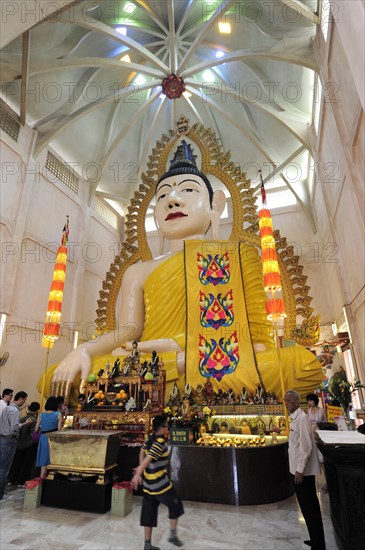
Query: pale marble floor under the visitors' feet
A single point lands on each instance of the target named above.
(276, 526)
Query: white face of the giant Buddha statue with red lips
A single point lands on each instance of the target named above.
(182, 206)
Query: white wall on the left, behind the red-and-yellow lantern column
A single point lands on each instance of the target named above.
(34, 205)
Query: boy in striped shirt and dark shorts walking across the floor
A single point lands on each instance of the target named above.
(157, 487)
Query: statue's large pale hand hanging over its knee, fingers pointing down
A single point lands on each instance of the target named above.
(78, 361)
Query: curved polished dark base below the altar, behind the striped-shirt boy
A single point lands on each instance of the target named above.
(231, 475)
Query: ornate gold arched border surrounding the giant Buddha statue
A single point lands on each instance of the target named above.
(245, 227)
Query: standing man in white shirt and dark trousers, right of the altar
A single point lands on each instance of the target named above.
(304, 465)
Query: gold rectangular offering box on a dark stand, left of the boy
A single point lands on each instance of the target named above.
(83, 452)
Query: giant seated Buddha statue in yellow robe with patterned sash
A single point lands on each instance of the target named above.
(211, 287)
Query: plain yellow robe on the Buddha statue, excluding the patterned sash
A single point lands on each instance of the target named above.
(165, 317)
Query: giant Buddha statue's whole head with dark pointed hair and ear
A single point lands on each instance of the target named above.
(185, 203)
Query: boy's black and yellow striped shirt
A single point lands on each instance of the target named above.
(155, 478)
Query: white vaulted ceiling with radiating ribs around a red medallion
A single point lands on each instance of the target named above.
(70, 80)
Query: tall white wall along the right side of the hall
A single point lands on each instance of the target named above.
(339, 151)
